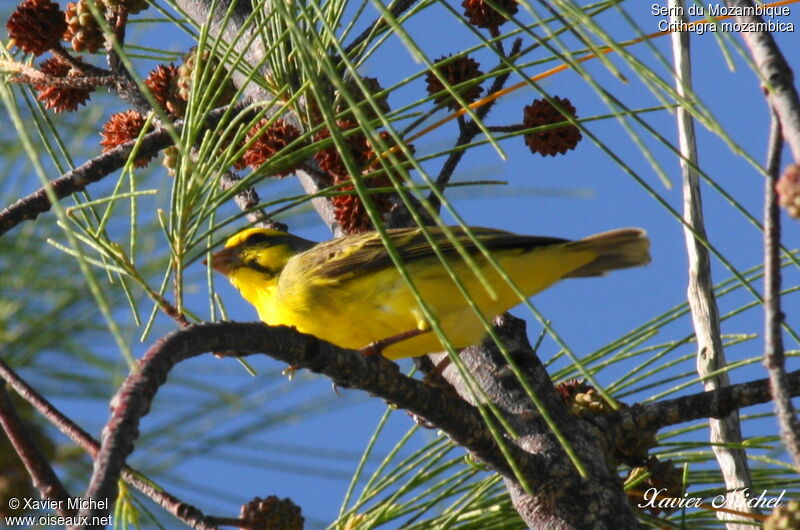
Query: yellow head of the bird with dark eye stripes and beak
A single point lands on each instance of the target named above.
(257, 252)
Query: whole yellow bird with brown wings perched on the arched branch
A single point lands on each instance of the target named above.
(348, 292)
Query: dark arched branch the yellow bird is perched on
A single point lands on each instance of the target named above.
(346, 368)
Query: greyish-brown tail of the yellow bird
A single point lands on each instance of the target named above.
(616, 249)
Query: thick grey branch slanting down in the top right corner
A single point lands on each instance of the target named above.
(775, 71)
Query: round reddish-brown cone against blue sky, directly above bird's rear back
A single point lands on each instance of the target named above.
(554, 140)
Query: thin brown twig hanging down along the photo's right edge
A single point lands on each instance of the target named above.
(774, 359)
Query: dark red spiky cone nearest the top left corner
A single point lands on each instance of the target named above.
(36, 26)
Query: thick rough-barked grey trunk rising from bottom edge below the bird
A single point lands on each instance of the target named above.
(564, 499)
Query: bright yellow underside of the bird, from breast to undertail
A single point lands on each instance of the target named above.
(378, 305)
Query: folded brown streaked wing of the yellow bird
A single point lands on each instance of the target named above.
(350, 256)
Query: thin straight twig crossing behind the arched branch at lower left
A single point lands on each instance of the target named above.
(187, 513)
